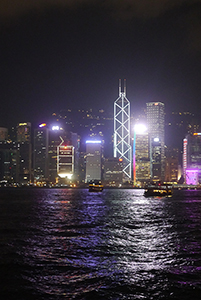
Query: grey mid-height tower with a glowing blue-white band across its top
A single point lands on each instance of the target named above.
(93, 160)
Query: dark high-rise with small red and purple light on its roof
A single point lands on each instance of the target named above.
(40, 156)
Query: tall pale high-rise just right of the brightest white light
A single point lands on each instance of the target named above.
(155, 123)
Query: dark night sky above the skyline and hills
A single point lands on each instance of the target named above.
(72, 54)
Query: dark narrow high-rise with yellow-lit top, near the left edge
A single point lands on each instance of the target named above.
(25, 162)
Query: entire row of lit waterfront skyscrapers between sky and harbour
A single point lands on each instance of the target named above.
(52, 156)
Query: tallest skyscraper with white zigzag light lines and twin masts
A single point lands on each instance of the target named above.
(122, 147)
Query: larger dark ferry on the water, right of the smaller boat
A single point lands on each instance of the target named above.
(158, 190)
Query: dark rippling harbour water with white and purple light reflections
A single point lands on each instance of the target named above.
(72, 244)
